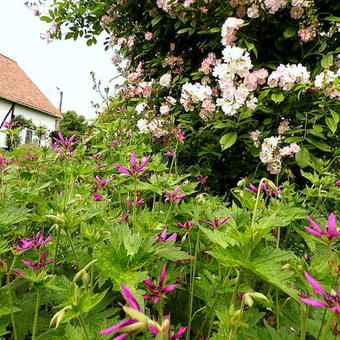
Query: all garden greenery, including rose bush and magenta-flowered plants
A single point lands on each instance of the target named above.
(121, 233)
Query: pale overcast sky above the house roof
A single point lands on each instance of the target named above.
(64, 64)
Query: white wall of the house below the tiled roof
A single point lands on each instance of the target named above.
(38, 118)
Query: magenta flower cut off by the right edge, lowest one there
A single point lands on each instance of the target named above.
(331, 301)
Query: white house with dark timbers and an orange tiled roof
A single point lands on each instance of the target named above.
(19, 96)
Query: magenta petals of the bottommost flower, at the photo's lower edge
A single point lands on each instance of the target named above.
(127, 326)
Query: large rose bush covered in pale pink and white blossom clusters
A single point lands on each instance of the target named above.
(254, 84)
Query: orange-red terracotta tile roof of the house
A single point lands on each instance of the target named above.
(16, 86)
